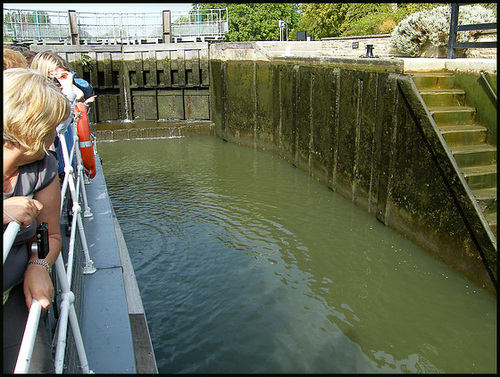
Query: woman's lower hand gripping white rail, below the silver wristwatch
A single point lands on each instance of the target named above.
(38, 285)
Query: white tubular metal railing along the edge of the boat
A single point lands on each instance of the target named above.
(67, 312)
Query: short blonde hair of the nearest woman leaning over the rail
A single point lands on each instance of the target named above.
(32, 108)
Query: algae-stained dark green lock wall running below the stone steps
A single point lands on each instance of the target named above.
(350, 126)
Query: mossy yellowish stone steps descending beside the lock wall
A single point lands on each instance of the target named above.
(465, 138)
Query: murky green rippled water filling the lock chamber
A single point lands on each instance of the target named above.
(246, 264)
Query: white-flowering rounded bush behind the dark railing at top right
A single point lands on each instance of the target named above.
(433, 27)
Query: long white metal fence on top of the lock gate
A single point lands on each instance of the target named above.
(54, 27)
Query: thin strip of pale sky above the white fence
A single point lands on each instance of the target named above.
(102, 7)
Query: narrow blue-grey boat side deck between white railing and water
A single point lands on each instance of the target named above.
(113, 323)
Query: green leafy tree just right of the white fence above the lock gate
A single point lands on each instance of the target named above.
(255, 21)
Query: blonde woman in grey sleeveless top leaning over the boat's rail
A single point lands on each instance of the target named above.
(33, 107)
